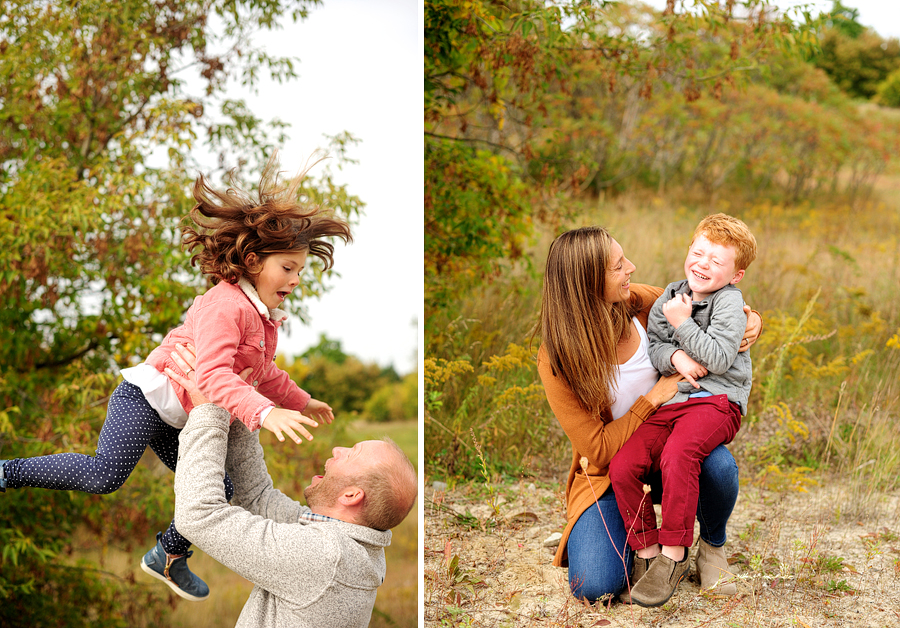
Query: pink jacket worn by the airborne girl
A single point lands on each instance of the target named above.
(231, 329)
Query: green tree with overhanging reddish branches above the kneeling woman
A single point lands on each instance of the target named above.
(526, 102)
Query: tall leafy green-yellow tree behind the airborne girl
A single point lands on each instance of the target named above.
(95, 165)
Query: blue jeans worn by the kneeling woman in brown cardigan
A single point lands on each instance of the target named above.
(596, 557)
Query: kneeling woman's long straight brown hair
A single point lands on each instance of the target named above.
(579, 329)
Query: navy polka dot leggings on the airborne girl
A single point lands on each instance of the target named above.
(131, 424)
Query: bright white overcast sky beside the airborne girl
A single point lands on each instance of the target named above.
(360, 70)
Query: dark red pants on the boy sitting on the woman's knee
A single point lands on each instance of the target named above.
(674, 441)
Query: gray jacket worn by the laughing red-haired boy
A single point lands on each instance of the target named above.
(712, 337)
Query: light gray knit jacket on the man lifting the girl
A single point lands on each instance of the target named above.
(307, 573)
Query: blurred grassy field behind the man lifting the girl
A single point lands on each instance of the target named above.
(397, 602)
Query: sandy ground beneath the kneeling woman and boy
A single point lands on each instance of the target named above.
(829, 557)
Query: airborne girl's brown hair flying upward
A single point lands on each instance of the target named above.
(233, 224)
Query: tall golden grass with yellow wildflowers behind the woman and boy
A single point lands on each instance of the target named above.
(826, 366)
